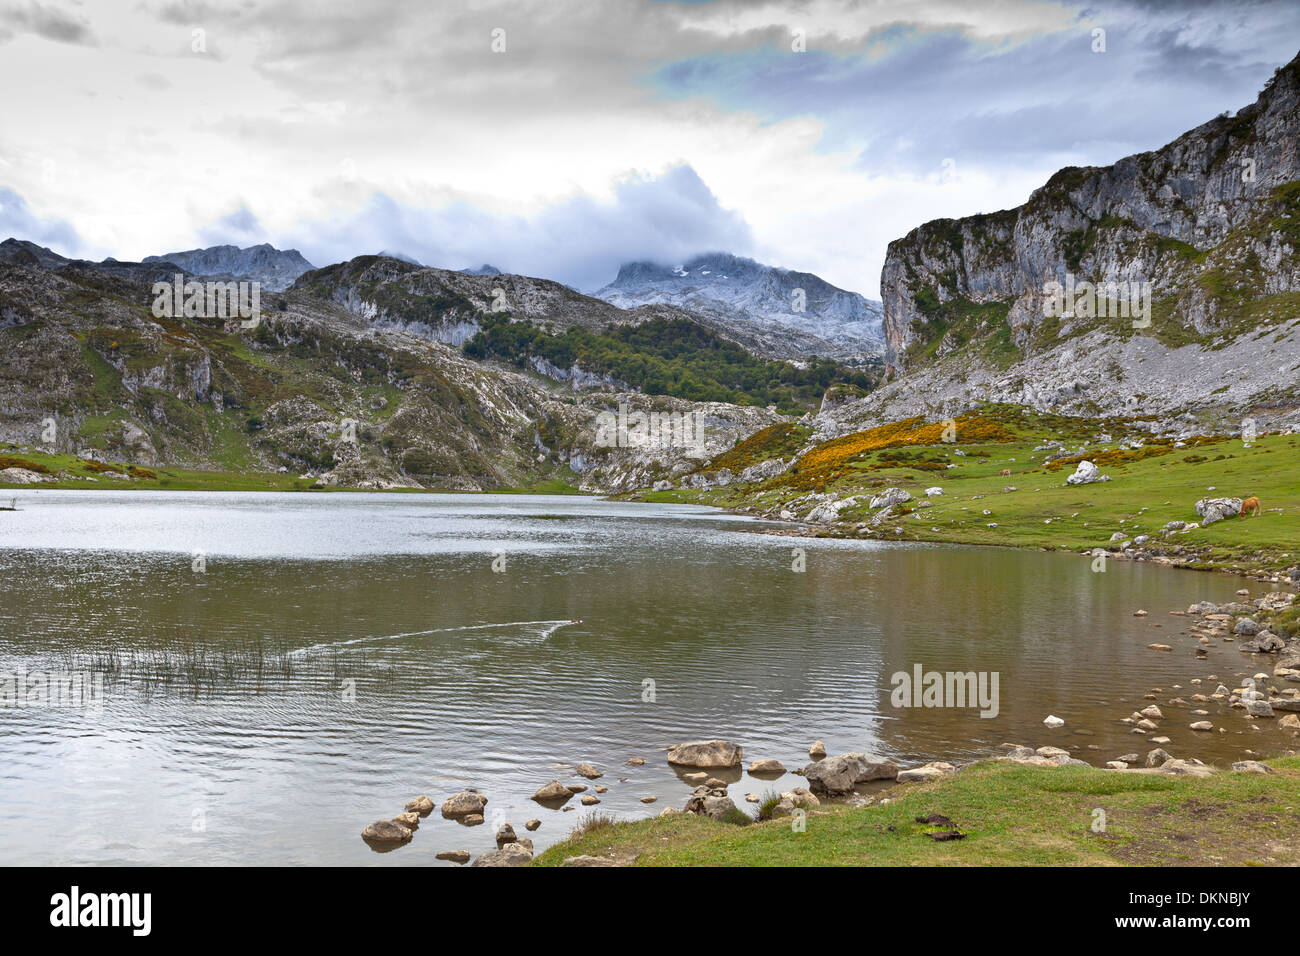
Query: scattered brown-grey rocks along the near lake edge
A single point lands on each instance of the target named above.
(1262, 629)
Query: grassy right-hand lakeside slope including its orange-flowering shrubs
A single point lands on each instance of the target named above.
(1033, 507)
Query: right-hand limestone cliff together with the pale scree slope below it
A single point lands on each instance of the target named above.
(1208, 228)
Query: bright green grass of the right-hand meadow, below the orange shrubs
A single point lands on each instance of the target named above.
(1142, 498)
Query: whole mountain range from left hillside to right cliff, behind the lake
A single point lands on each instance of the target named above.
(476, 379)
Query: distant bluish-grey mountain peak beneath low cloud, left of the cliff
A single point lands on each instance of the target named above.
(756, 306)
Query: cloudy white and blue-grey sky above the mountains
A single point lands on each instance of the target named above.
(562, 137)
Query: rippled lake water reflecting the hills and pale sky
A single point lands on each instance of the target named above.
(283, 671)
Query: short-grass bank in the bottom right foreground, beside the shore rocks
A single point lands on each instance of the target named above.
(1012, 816)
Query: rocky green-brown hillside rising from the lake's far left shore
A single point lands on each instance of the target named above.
(315, 388)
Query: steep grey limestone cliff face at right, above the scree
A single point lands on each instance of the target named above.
(1210, 226)
